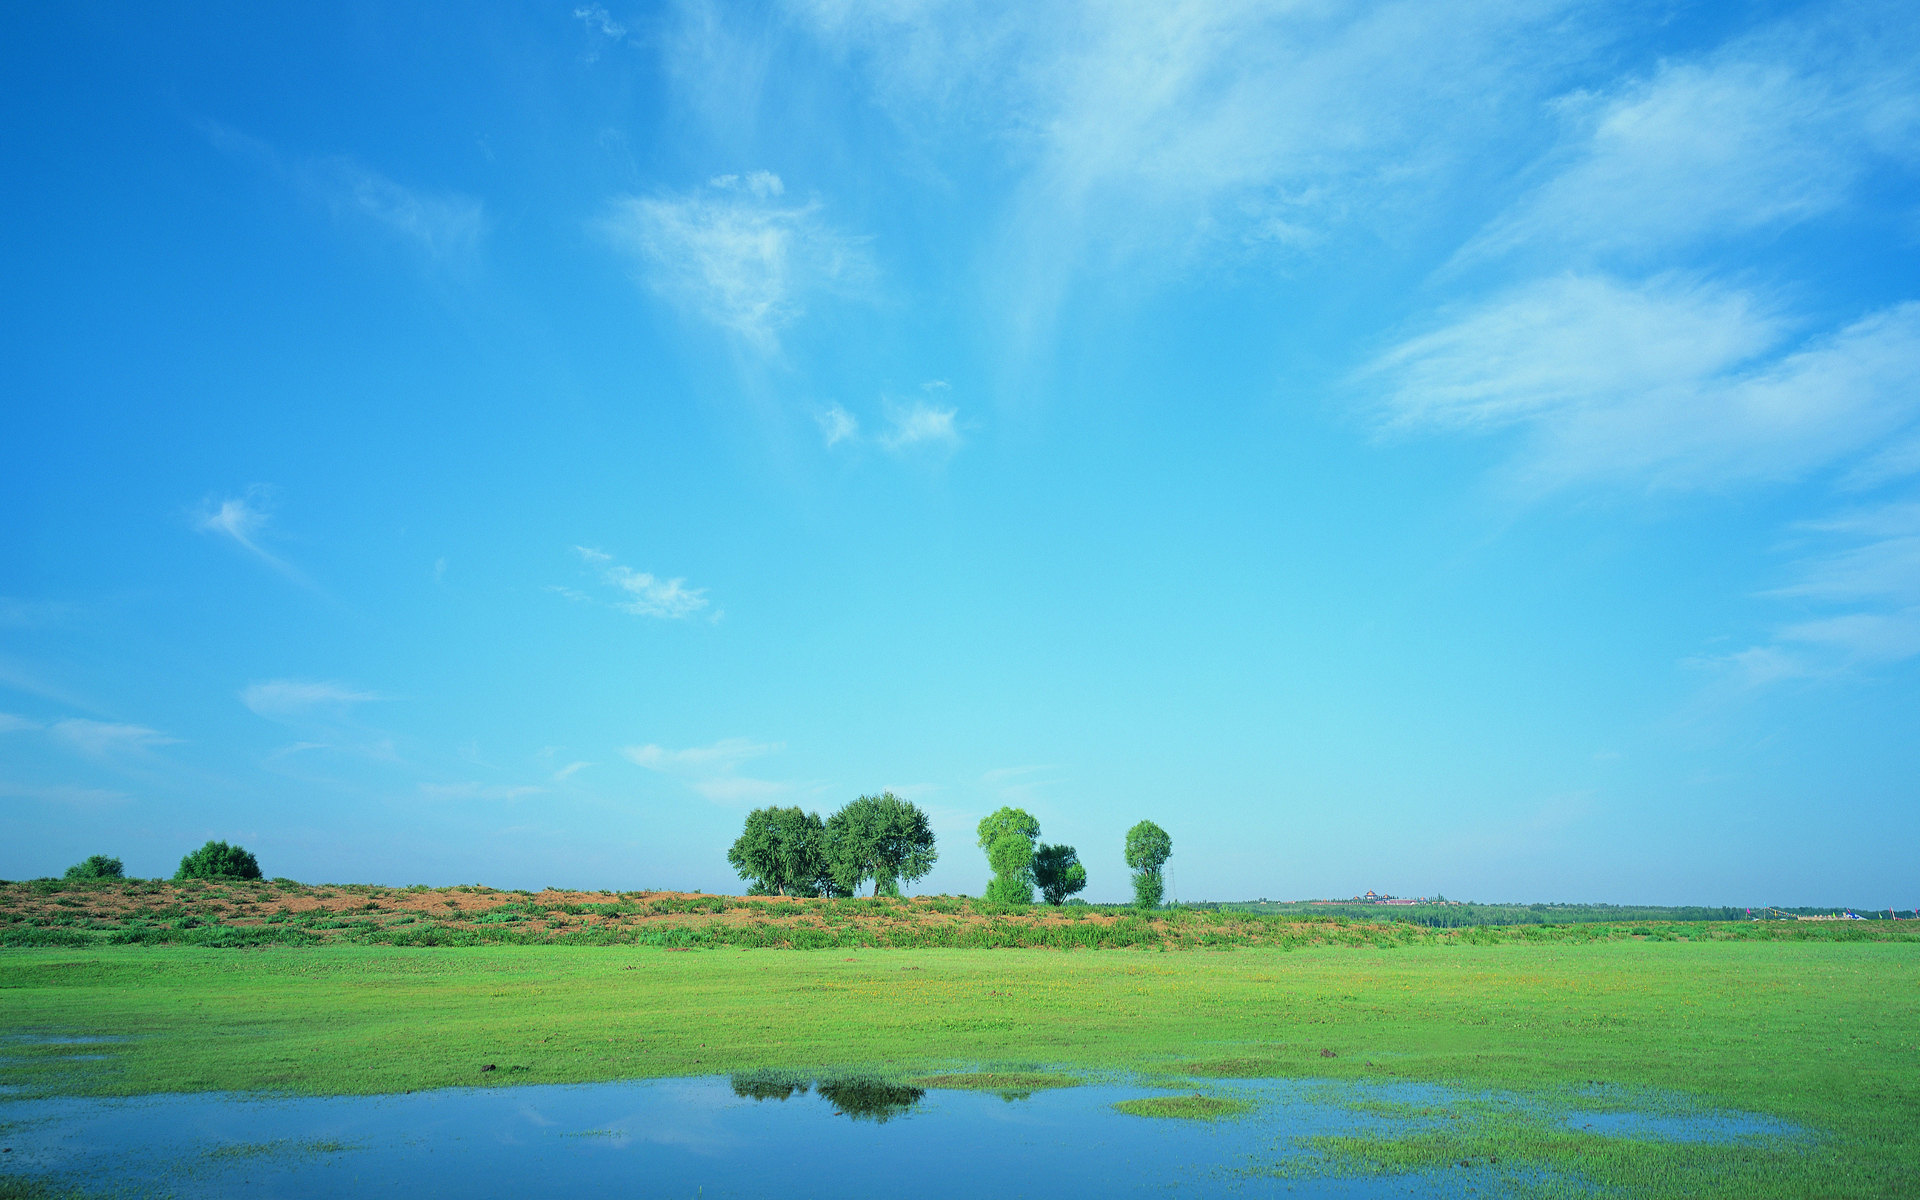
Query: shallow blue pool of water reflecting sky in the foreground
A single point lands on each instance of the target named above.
(763, 1134)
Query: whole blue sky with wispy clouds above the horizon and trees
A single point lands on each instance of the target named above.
(1454, 448)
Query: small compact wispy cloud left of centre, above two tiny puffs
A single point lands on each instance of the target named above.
(740, 254)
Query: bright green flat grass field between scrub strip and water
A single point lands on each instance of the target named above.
(1825, 1036)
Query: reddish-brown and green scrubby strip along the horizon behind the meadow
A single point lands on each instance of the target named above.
(241, 915)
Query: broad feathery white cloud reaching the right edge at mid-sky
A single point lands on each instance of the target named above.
(1668, 385)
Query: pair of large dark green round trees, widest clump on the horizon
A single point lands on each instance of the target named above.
(794, 853)
